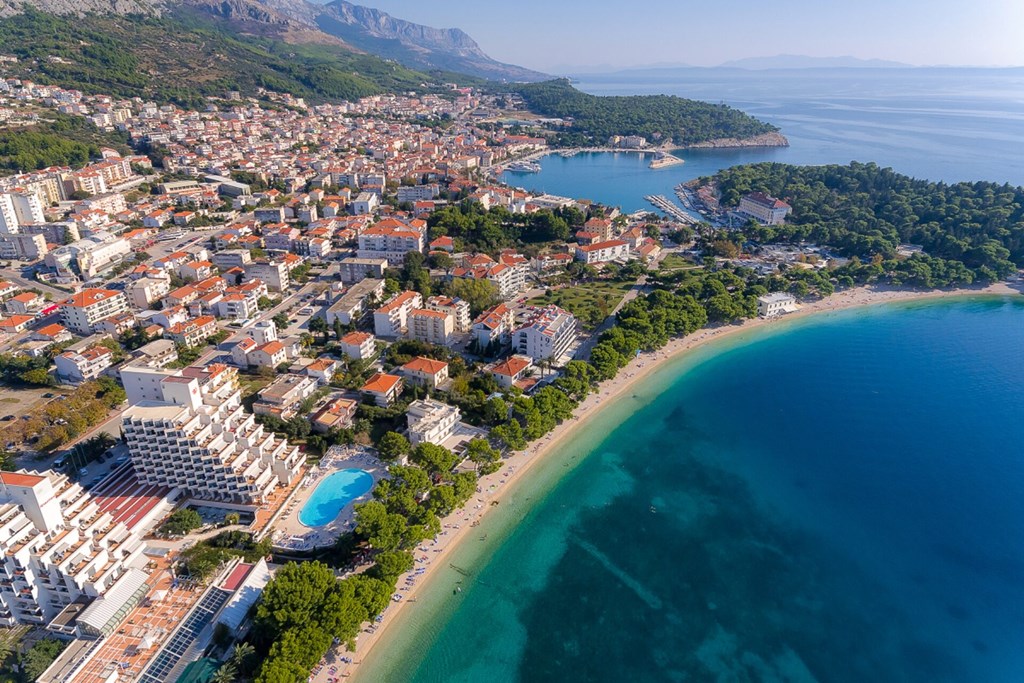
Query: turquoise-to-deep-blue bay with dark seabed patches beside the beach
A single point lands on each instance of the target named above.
(839, 498)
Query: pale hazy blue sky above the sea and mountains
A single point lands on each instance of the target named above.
(549, 34)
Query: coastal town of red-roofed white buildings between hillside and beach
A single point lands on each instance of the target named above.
(251, 337)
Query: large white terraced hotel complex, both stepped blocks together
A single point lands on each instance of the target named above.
(63, 547)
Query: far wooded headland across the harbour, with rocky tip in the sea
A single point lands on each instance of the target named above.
(659, 118)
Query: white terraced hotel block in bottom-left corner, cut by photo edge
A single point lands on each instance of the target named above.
(60, 544)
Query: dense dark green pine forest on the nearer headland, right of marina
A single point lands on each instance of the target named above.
(970, 232)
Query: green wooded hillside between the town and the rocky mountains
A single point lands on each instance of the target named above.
(186, 58)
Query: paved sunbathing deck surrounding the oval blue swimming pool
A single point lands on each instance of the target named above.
(290, 534)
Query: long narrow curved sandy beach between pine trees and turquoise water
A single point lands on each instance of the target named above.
(458, 527)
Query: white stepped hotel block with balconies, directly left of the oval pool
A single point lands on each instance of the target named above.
(200, 439)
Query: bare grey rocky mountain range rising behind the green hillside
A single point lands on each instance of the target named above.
(339, 24)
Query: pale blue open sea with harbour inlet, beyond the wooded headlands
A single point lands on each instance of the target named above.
(949, 125)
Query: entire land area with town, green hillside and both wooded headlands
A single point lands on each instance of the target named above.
(287, 313)
